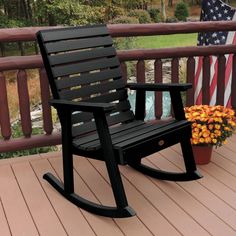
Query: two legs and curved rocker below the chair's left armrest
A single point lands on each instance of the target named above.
(67, 189)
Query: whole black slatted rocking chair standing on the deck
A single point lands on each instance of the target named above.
(96, 118)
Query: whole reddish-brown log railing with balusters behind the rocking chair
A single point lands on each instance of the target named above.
(22, 63)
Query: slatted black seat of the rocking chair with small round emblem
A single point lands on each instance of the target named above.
(136, 139)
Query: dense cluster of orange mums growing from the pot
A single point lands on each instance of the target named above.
(211, 125)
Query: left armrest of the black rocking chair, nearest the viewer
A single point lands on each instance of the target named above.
(81, 106)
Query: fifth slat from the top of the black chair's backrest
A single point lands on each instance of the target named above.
(88, 78)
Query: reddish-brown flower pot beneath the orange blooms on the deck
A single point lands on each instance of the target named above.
(202, 154)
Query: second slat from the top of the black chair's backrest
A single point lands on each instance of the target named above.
(69, 45)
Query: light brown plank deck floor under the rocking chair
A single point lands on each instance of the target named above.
(30, 206)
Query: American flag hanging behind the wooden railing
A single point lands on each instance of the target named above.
(215, 10)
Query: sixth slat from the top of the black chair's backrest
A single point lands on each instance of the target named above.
(93, 89)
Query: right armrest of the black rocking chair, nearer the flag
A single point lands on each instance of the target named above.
(159, 87)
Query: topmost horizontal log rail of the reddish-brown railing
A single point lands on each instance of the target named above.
(127, 30)
